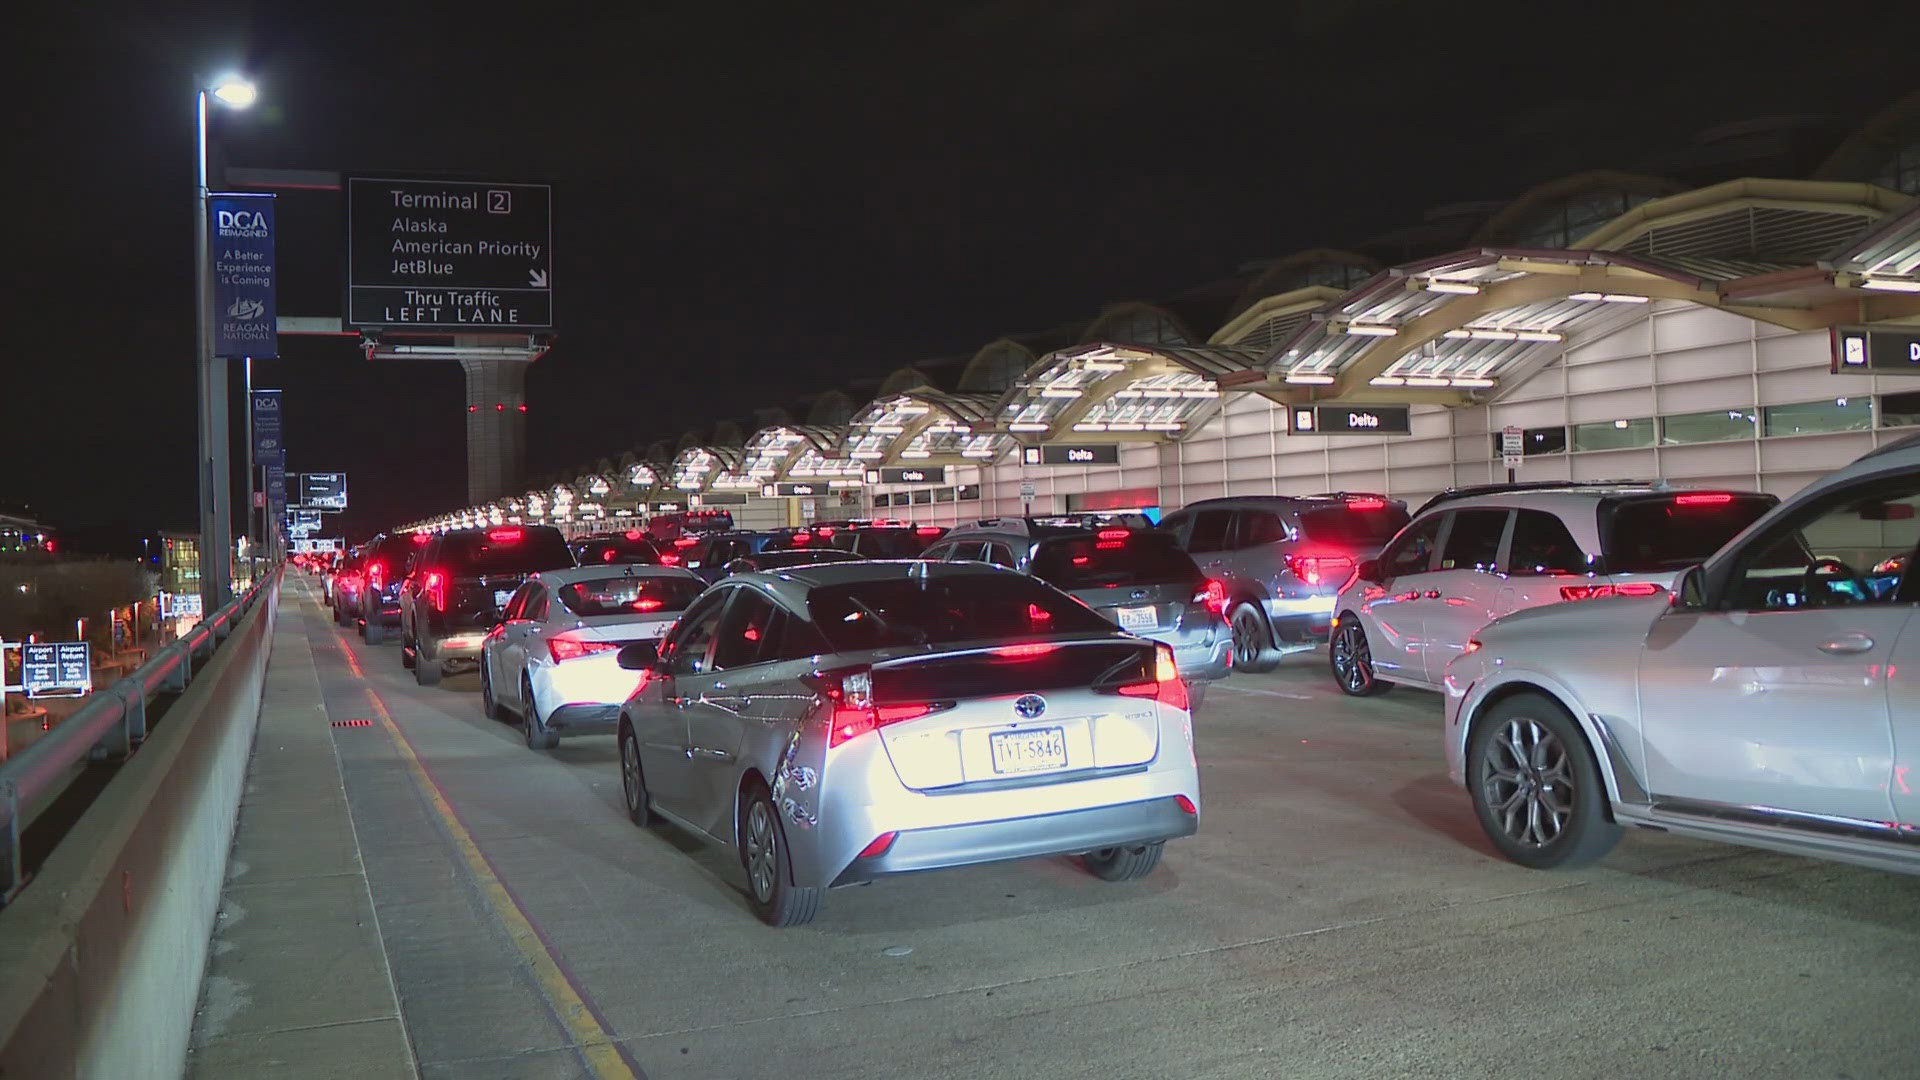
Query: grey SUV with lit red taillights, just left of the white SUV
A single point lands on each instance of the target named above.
(1284, 560)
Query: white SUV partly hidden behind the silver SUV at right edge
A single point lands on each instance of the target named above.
(1476, 554)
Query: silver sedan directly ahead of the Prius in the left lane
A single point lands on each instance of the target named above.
(552, 656)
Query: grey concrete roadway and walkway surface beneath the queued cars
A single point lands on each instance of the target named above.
(1337, 916)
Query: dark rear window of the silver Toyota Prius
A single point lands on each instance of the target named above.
(946, 608)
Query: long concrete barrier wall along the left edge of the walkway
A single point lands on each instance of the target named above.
(101, 956)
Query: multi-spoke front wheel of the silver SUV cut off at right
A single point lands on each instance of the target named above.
(1537, 787)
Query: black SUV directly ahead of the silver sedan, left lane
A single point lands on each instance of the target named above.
(458, 587)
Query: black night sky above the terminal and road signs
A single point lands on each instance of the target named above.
(754, 201)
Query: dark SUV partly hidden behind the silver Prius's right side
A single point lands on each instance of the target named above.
(1140, 579)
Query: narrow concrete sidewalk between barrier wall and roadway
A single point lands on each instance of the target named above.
(297, 981)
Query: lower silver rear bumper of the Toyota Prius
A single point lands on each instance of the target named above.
(1070, 833)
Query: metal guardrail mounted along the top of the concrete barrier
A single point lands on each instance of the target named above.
(107, 729)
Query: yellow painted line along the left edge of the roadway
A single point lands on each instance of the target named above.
(583, 1027)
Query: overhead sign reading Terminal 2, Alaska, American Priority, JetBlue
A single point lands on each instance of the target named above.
(450, 255)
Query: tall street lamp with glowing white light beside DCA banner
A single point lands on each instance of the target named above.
(216, 476)
